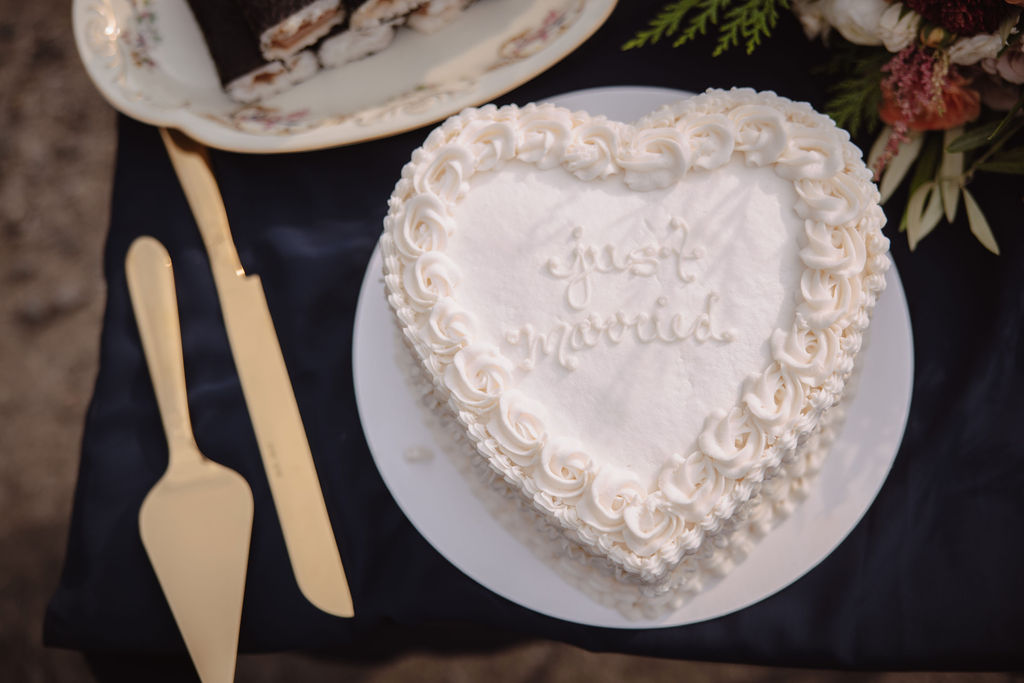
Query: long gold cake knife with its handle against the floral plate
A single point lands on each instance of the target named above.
(282, 439)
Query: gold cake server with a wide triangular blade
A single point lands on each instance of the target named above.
(197, 522)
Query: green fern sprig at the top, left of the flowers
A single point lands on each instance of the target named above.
(750, 22)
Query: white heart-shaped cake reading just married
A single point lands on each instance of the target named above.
(642, 328)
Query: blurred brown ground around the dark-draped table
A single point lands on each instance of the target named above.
(57, 154)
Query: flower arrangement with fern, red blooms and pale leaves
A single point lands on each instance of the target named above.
(942, 83)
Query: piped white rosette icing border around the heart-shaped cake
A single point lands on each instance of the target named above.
(646, 533)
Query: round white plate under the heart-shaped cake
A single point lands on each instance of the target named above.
(440, 502)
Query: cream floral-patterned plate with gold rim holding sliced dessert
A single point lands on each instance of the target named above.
(149, 60)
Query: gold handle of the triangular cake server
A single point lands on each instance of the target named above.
(151, 285)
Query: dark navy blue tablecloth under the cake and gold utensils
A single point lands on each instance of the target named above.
(930, 579)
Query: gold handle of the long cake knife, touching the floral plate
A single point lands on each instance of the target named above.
(192, 164)
